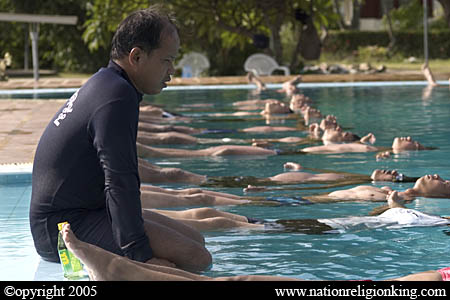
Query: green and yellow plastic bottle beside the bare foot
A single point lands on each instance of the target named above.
(72, 267)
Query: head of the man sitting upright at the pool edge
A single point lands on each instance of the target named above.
(145, 45)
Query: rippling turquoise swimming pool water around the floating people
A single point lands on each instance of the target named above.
(387, 110)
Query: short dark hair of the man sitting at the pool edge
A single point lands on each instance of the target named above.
(141, 29)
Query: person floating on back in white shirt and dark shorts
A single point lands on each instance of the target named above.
(393, 215)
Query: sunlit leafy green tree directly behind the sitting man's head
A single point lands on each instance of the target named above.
(232, 23)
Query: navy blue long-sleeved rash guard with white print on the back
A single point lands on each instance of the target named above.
(85, 170)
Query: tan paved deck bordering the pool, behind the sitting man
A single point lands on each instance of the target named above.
(23, 121)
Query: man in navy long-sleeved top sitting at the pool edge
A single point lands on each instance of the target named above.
(86, 169)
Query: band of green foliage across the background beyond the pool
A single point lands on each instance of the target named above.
(222, 30)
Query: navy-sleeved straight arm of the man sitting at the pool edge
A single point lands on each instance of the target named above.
(113, 129)
